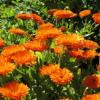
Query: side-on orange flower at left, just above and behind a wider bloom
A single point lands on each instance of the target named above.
(9, 50)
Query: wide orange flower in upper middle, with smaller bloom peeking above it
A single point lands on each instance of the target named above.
(47, 33)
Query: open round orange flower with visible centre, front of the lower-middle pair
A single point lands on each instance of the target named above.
(61, 76)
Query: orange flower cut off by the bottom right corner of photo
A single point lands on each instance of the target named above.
(91, 97)
